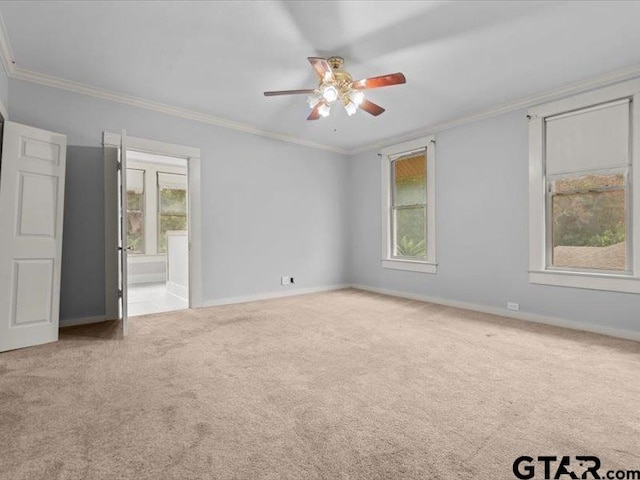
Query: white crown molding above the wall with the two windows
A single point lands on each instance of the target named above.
(518, 104)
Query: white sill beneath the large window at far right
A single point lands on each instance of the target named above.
(591, 281)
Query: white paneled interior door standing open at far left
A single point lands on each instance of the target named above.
(31, 212)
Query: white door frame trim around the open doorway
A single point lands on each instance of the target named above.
(192, 155)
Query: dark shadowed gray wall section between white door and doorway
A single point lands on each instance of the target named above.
(82, 282)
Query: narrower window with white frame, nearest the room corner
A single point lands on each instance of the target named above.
(409, 206)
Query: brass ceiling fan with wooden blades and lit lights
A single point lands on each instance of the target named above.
(334, 84)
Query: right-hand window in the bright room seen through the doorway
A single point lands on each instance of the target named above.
(172, 206)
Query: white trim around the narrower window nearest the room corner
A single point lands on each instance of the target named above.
(388, 153)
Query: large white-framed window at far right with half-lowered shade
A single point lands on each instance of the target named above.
(583, 207)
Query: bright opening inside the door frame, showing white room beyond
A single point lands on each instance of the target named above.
(157, 237)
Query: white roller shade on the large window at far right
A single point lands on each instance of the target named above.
(588, 139)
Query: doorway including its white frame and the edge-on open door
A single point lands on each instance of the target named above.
(161, 224)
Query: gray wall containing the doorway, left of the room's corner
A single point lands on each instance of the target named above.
(269, 208)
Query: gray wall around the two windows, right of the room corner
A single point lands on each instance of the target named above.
(482, 189)
